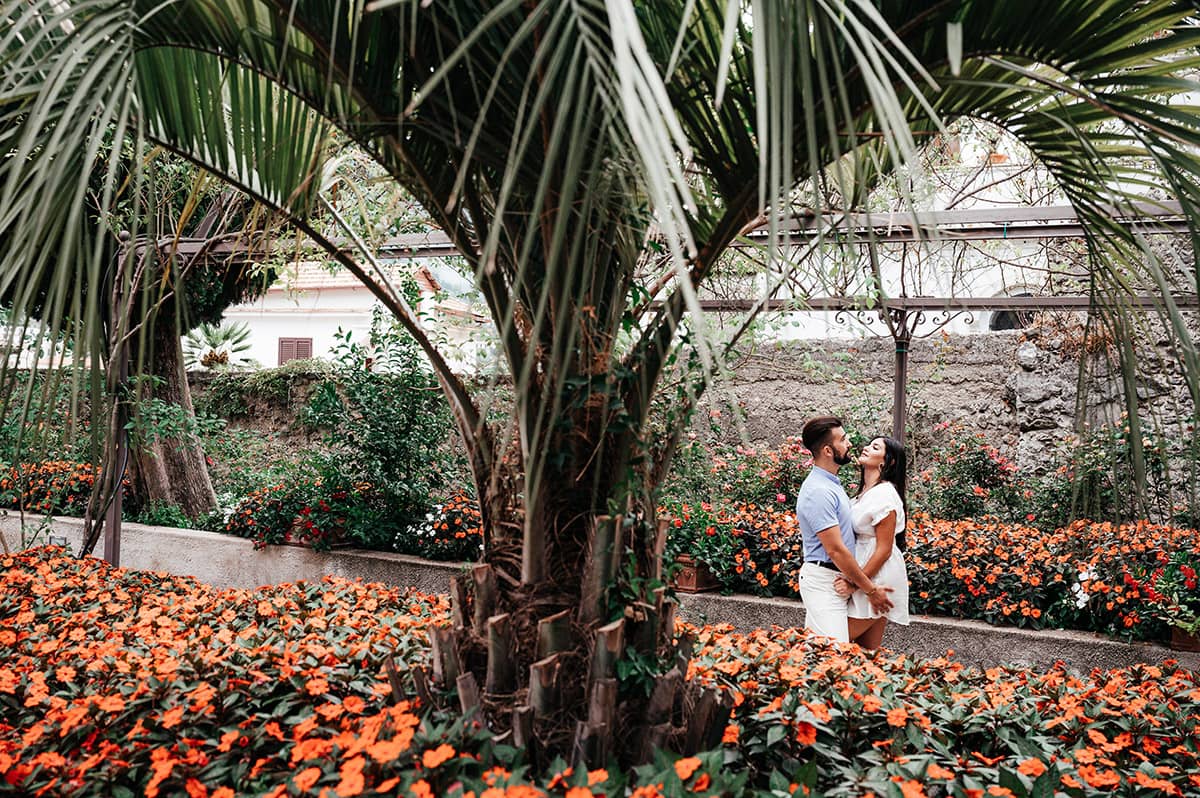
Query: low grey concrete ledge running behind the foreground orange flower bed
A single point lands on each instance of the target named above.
(225, 561)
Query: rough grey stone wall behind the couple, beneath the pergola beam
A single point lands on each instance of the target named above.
(1018, 388)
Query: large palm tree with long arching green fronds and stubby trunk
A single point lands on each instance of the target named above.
(593, 160)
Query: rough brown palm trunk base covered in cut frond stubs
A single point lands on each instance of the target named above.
(538, 661)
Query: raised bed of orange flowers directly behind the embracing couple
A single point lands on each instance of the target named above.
(1087, 577)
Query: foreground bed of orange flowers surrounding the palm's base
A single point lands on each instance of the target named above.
(124, 683)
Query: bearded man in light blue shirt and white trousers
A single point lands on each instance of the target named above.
(823, 509)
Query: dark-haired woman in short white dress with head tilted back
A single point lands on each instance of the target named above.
(879, 517)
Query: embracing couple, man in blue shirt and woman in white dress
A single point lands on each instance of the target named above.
(854, 579)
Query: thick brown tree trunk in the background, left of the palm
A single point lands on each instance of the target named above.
(171, 470)
